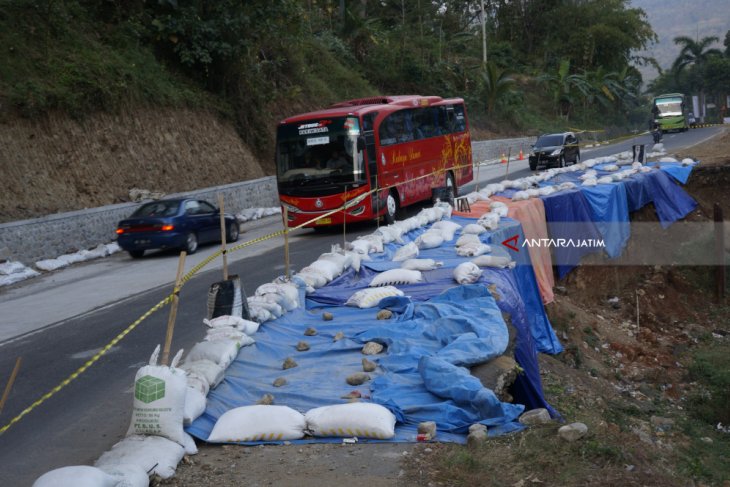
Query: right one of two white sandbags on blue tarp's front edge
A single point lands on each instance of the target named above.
(360, 419)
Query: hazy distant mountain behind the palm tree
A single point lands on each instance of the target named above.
(691, 18)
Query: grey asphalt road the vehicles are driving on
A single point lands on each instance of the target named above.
(59, 321)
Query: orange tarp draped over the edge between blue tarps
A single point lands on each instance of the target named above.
(531, 214)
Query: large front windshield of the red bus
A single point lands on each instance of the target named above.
(319, 152)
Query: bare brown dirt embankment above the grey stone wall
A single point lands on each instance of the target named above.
(59, 164)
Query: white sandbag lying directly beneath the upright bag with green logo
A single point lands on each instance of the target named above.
(154, 454)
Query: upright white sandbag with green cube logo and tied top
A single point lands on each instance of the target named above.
(159, 399)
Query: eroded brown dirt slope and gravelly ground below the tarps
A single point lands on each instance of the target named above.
(646, 391)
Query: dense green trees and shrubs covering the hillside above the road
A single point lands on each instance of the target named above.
(257, 61)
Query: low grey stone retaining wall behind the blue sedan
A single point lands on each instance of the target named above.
(29, 241)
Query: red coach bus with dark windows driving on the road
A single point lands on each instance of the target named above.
(401, 146)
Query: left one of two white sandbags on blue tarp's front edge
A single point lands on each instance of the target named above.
(258, 423)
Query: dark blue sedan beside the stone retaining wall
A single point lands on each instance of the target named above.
(173, 224)
